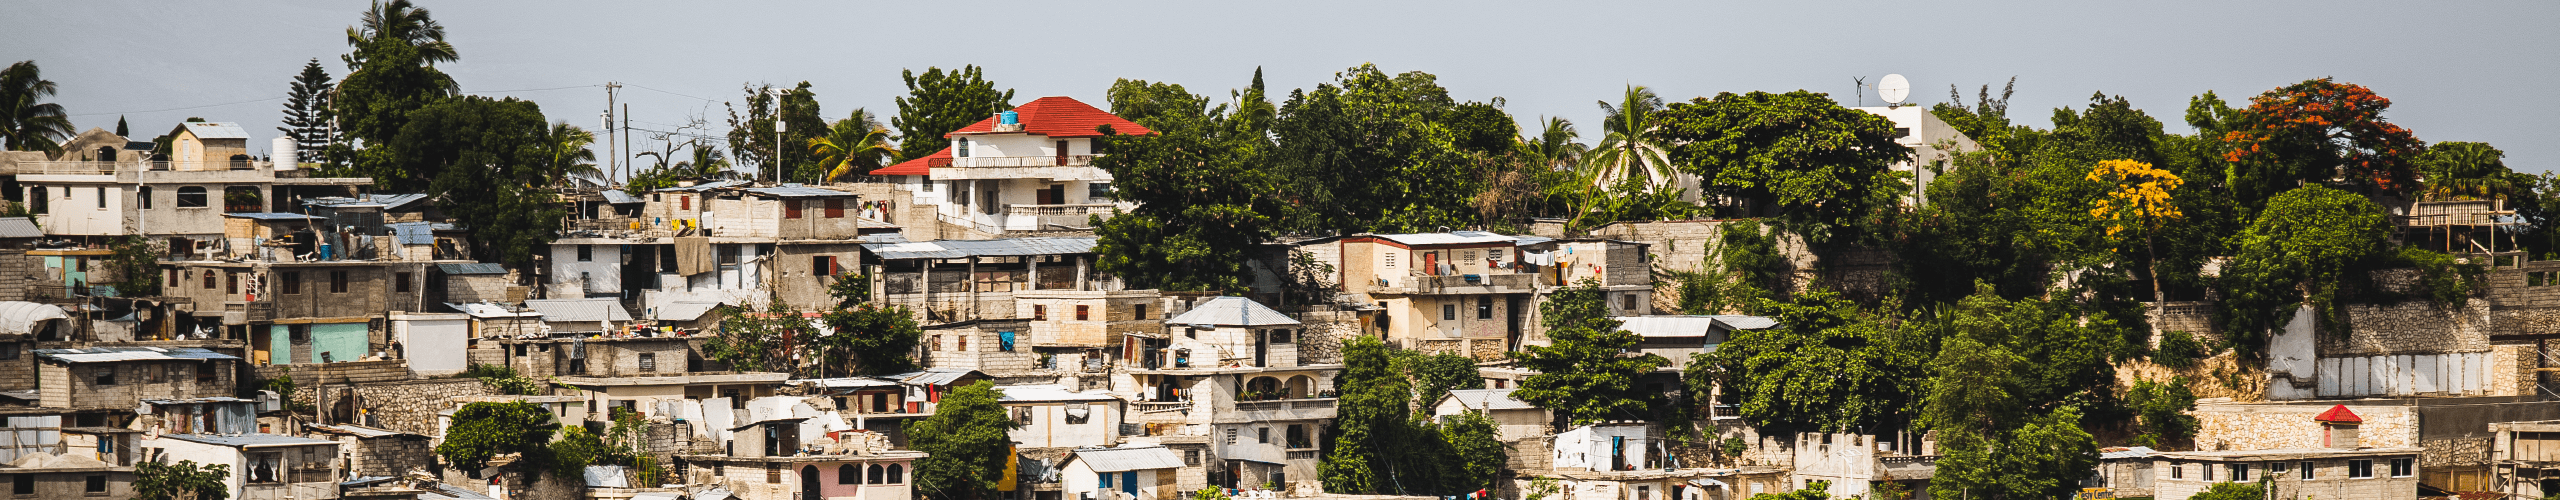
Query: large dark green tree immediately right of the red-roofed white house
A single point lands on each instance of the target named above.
(1202, 188)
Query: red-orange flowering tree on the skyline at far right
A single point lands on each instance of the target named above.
(2318, 132)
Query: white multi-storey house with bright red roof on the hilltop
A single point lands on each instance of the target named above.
(1020, 171)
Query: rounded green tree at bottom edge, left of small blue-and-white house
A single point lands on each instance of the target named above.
(966, 445)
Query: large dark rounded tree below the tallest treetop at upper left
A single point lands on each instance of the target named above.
(490, 168)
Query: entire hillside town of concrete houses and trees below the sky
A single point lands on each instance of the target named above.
(1368, 291)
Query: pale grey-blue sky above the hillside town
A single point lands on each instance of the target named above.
(2454, 71)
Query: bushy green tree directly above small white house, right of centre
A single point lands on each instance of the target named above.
(1583, 373)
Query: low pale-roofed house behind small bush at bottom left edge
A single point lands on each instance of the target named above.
(265, 465)
